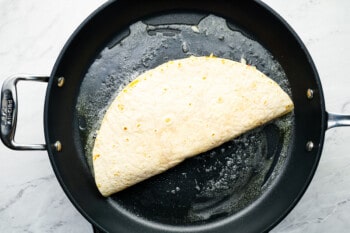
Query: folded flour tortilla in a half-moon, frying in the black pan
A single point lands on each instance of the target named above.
(178, 110)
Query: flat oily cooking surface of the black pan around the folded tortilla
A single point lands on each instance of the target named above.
(217, 183)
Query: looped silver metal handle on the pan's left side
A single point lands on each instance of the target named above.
(9, 106)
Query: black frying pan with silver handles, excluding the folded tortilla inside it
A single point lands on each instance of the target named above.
(249, 184)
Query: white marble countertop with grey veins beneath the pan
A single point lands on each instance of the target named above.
(32, 34)
